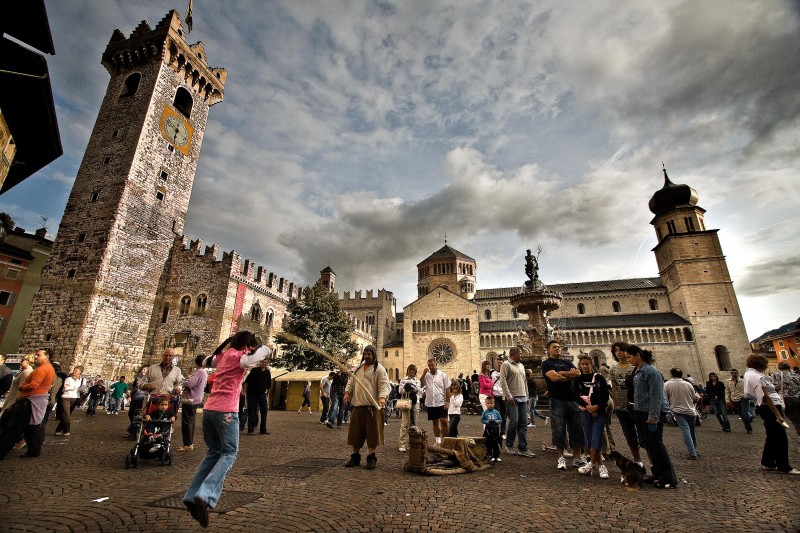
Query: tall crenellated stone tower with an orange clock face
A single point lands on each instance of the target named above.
(129, 201)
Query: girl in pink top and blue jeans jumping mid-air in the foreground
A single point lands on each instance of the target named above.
(221, 420)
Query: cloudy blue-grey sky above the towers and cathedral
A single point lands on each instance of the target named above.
(356, 134)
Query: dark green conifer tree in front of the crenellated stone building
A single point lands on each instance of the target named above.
(317, 319)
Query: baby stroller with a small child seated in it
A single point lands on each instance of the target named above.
(154, 437)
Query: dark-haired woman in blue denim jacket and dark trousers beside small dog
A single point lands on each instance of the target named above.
(650, 408)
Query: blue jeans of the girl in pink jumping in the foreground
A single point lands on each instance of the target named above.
(221, 435)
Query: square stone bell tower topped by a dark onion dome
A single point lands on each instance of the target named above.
(695, 273)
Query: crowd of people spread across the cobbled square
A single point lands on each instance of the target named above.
(582, 401)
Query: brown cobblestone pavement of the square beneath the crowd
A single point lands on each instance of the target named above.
(294, 480)
